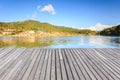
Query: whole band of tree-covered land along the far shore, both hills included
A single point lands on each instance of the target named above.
(36, 27)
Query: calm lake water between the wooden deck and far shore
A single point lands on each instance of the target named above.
(62, 42)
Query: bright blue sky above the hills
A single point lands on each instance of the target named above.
(72, 13)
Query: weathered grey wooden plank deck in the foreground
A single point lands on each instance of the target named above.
(59, 64)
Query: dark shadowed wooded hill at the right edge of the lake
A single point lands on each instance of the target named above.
(113, 31)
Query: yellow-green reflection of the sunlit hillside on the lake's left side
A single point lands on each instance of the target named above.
(27, 42)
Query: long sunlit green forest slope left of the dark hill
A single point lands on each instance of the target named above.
(21, 26)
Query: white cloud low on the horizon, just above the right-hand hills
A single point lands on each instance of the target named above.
(99, 27)
